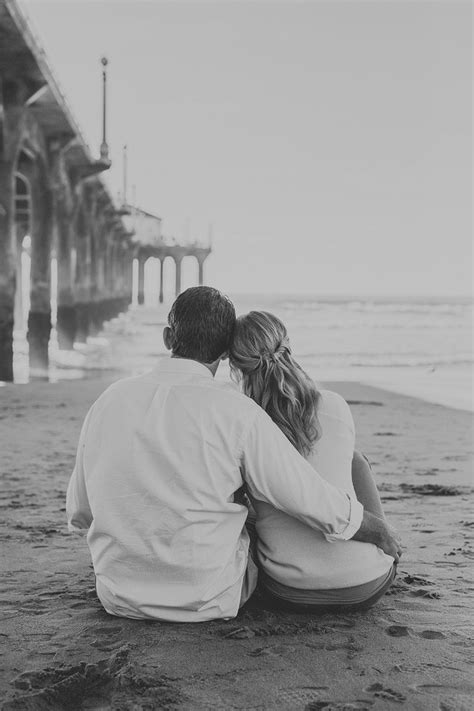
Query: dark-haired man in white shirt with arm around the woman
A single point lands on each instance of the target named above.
(159, 460)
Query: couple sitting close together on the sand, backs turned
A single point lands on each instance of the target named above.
(170, 463)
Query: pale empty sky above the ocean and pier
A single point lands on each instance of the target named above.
(329, 142)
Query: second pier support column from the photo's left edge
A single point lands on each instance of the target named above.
(39, 319)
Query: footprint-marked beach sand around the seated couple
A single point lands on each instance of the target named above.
(413, 650)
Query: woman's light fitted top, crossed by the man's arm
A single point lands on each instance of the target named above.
(300, 557)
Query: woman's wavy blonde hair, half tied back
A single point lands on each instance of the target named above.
(260, 358)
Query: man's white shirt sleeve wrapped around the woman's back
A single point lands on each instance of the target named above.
(276, 473)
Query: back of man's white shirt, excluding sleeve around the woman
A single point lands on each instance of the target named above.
(157, 468)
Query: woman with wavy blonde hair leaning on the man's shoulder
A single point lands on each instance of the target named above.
(299, 567)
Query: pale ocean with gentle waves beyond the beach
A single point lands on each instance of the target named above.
(421, 346)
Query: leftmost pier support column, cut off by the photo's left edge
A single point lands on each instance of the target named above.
(7, 272)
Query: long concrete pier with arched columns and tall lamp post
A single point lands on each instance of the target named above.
(57, 216)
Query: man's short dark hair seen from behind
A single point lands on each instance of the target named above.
(202, 322)
